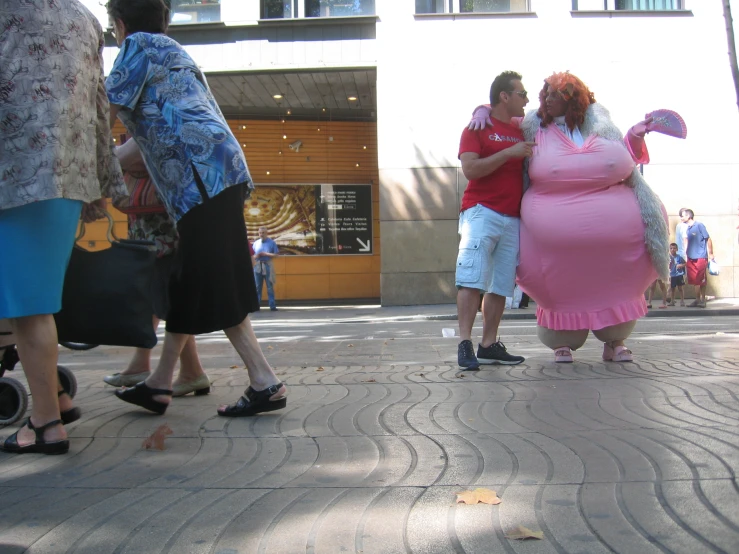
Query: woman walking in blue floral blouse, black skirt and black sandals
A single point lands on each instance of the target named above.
(162, 97)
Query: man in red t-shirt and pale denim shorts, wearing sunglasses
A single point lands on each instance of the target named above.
(492, 159)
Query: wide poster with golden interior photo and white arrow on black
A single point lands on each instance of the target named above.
(313, 219)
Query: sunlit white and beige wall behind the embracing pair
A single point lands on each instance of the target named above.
(633, 64)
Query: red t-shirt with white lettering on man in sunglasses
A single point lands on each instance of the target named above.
(502, 189)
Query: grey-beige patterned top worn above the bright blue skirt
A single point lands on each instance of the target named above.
(54, 113)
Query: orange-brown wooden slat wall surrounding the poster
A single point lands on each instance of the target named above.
(333, 152)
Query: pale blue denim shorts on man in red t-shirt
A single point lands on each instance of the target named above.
(488, 251)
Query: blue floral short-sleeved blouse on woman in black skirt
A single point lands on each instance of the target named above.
(167, 107)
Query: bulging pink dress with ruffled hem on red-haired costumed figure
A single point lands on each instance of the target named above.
(583, 256)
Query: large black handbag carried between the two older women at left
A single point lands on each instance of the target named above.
(107, 295)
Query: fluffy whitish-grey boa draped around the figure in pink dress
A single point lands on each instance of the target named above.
(656, 236)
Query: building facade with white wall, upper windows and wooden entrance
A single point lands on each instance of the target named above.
(409, 73)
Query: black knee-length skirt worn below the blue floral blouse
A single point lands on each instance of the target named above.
(212, 286)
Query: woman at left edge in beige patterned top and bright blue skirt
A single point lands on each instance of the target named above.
(54, 158)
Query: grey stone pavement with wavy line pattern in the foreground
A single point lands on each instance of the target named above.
(378, 436)
